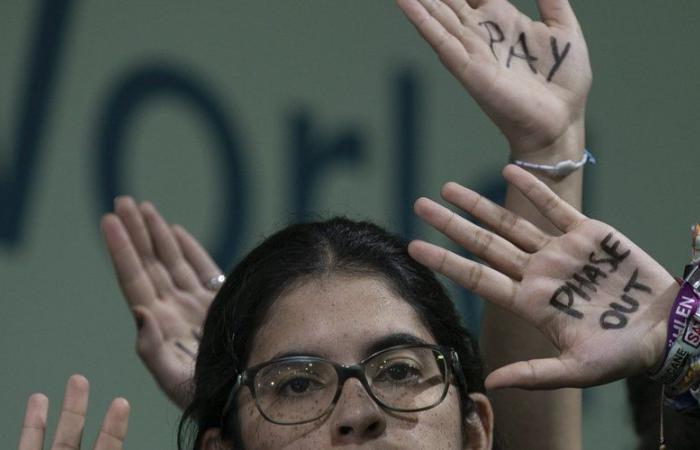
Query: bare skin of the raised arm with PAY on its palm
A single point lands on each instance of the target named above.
(543, 122)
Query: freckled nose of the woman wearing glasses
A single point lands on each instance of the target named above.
(356, 418)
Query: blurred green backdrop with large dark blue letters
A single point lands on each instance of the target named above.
(237, 117)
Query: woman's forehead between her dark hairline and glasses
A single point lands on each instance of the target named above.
(338, 317)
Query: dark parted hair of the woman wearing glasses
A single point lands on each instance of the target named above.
(300, 251)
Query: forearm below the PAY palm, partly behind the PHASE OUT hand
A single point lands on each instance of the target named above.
(506, 338)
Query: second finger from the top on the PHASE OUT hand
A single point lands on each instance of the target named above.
(507, 224)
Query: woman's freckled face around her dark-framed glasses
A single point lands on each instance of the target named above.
(345, 319)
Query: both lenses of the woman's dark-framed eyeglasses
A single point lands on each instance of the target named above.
(303, 390)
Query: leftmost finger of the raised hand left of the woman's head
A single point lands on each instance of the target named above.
(131, 275)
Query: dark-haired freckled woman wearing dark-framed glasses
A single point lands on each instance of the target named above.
(343, 292)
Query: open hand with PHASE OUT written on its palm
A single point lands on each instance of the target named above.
(600, 299)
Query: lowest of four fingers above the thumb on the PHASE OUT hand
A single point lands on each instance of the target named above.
(482, 280)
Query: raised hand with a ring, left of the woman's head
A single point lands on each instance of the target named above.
(163, 273)
